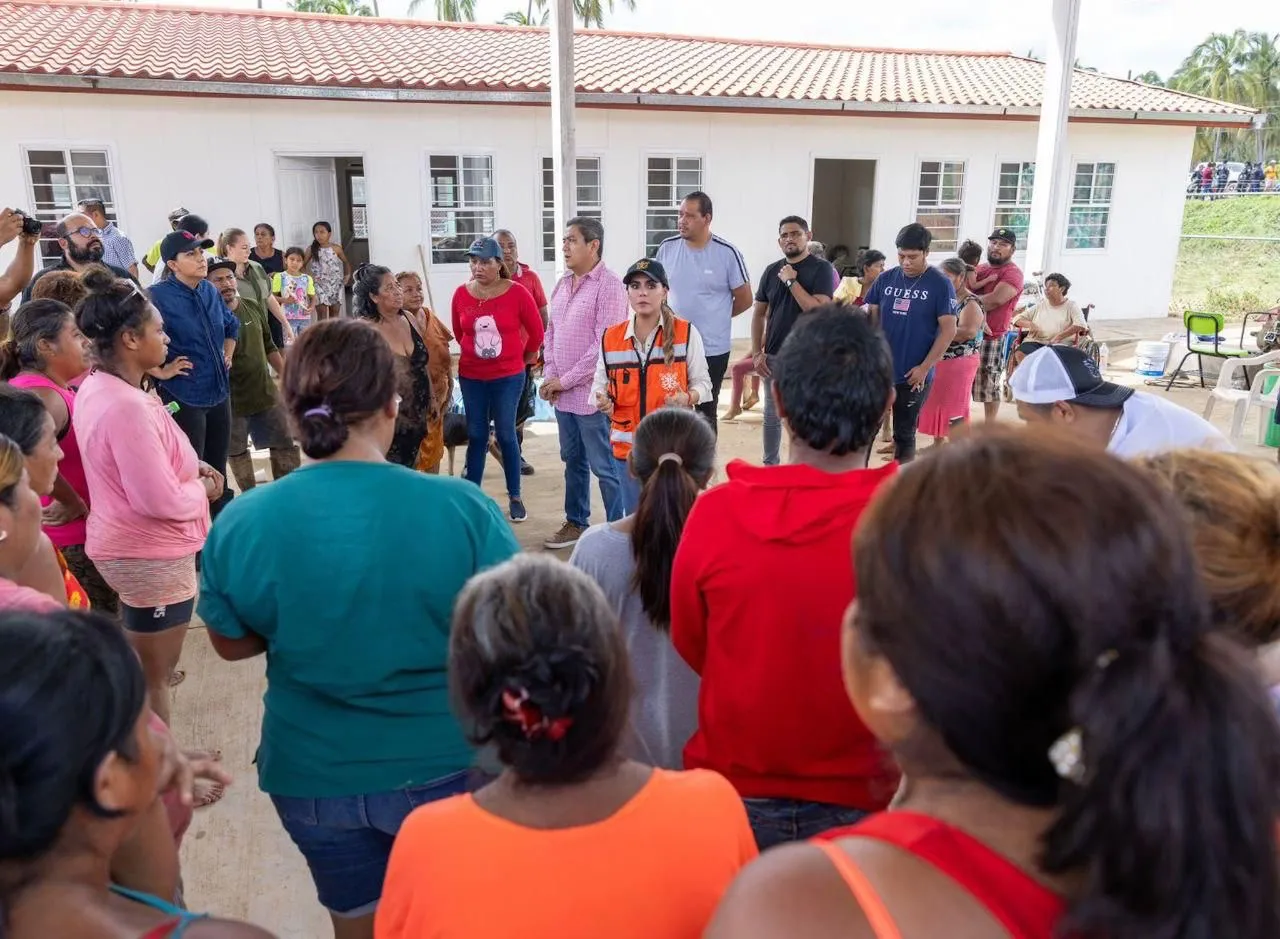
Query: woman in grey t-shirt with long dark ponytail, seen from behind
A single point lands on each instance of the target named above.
(674, 459)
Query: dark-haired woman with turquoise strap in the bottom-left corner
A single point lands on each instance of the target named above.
(80, 771)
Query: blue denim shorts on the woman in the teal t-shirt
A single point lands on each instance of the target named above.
(348, 840)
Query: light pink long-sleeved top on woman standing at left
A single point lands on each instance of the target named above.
(143, 474)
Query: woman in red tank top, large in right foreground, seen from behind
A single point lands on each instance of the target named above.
(1084, 757)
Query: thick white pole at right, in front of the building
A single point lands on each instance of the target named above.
(1053, 177)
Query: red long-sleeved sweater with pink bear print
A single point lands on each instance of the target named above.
(499, 337)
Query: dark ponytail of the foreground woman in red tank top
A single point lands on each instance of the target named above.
(1173, 823)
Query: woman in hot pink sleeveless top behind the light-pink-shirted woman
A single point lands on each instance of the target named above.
(45, 355)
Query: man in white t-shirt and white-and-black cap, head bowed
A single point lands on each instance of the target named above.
(1062, 386)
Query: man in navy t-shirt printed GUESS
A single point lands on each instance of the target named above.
(915, 306)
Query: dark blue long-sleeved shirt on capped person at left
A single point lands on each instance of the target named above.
(198, 323)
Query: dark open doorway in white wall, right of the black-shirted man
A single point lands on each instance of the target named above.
(842, 212)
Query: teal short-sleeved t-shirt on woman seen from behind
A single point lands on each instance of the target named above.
(350, 572)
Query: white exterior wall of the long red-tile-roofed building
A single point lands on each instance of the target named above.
(217, 157)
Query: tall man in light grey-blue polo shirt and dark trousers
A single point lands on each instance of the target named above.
(710, 286)
